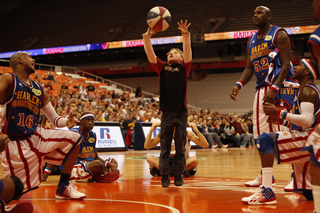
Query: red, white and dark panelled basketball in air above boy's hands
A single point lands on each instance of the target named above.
(159, 18)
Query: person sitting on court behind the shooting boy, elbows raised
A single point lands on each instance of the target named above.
(191, 162)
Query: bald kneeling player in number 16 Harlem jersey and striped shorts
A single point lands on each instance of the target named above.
(21, 100)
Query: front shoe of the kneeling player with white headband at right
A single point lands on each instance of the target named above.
(264, 196)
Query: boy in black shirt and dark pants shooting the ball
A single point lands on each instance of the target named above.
(173, 102)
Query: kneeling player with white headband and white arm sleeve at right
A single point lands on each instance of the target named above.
(286, 146)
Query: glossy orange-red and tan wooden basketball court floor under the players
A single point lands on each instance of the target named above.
(217, 187)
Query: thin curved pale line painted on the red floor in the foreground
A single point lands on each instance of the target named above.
(174, 210)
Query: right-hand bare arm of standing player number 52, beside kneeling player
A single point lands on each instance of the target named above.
(284, 45)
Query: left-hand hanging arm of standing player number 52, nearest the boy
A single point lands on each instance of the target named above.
(245, 77)
